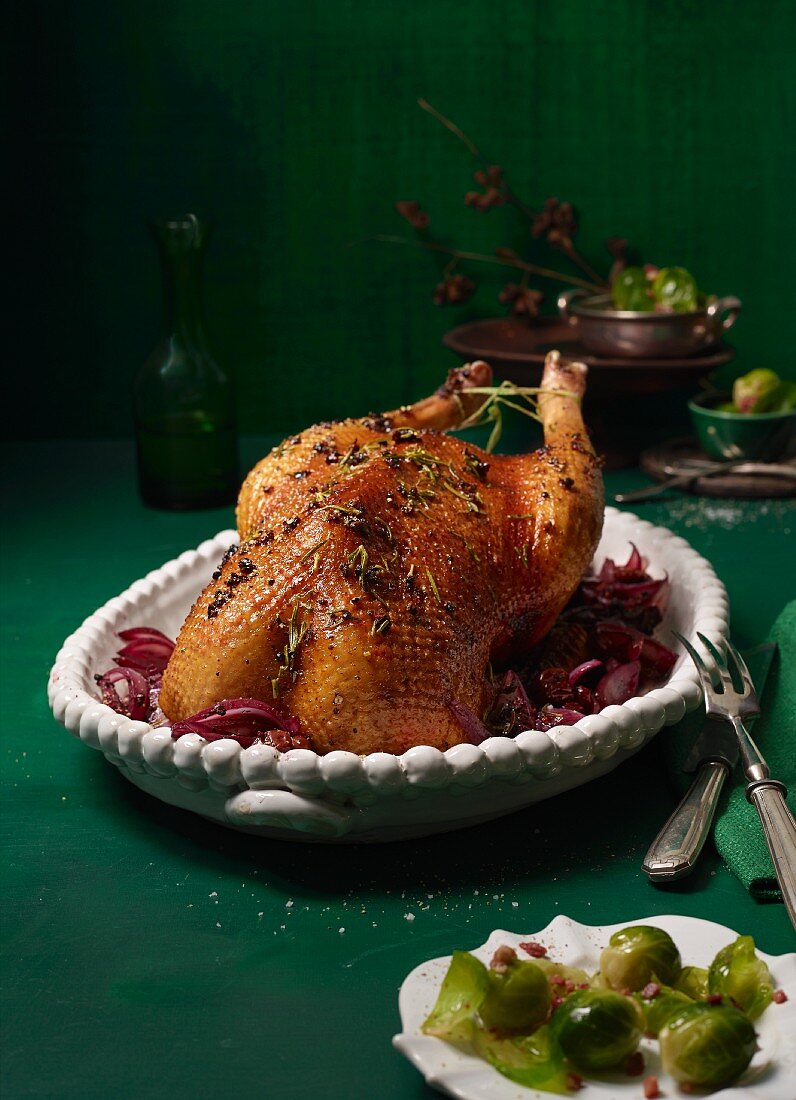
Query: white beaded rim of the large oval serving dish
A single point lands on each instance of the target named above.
(225, 767)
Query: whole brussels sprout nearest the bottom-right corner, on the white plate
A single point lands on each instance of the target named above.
(707, 1046)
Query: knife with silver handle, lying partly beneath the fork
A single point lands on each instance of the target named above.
(676, 851)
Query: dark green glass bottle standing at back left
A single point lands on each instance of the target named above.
(184, 405)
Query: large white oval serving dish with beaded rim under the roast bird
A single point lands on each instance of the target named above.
(381, 797)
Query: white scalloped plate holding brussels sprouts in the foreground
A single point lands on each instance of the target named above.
(770, 1076)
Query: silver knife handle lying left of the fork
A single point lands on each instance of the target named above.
(676, 850)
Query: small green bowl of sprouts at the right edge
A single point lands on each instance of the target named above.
(765, 437)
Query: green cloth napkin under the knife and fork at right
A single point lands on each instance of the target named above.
(737, 833)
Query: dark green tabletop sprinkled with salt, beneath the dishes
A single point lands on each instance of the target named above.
(148, 953)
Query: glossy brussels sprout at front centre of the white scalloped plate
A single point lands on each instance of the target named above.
(598, 1029)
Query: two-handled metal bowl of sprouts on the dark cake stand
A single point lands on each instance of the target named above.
(626, 334)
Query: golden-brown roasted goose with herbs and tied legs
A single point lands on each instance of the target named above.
(386, 568)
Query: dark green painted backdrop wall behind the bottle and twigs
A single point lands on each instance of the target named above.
(295, 128)
